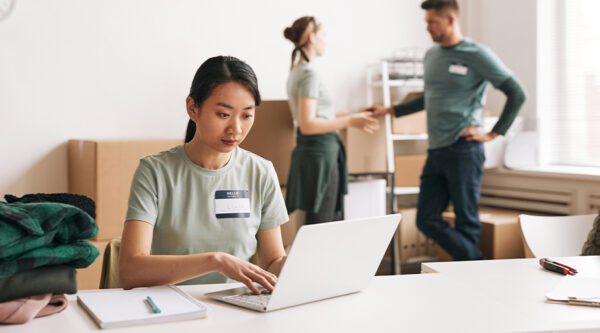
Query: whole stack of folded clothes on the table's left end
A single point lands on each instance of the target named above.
(42, 241)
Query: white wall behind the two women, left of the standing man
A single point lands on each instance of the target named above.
(122, 69)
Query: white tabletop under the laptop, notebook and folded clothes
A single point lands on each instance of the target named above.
(483, 296)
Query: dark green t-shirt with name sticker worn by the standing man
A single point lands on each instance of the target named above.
(455, 84)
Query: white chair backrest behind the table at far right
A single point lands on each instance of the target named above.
(554, 236)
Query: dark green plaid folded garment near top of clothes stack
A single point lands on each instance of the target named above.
(40, 234)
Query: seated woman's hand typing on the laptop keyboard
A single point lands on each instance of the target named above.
(245, 272)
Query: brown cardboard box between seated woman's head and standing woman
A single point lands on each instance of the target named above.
(273, 136)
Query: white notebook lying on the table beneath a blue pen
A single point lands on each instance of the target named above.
(117, 307)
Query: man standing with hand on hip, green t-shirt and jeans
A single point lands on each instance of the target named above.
(456, 72)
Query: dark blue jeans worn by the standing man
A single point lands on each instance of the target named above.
(453, 173)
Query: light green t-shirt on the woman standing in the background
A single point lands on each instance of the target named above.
(304, 81)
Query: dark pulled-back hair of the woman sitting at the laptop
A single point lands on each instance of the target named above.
(215, 72)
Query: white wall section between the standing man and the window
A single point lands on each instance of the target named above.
(509, 28)
